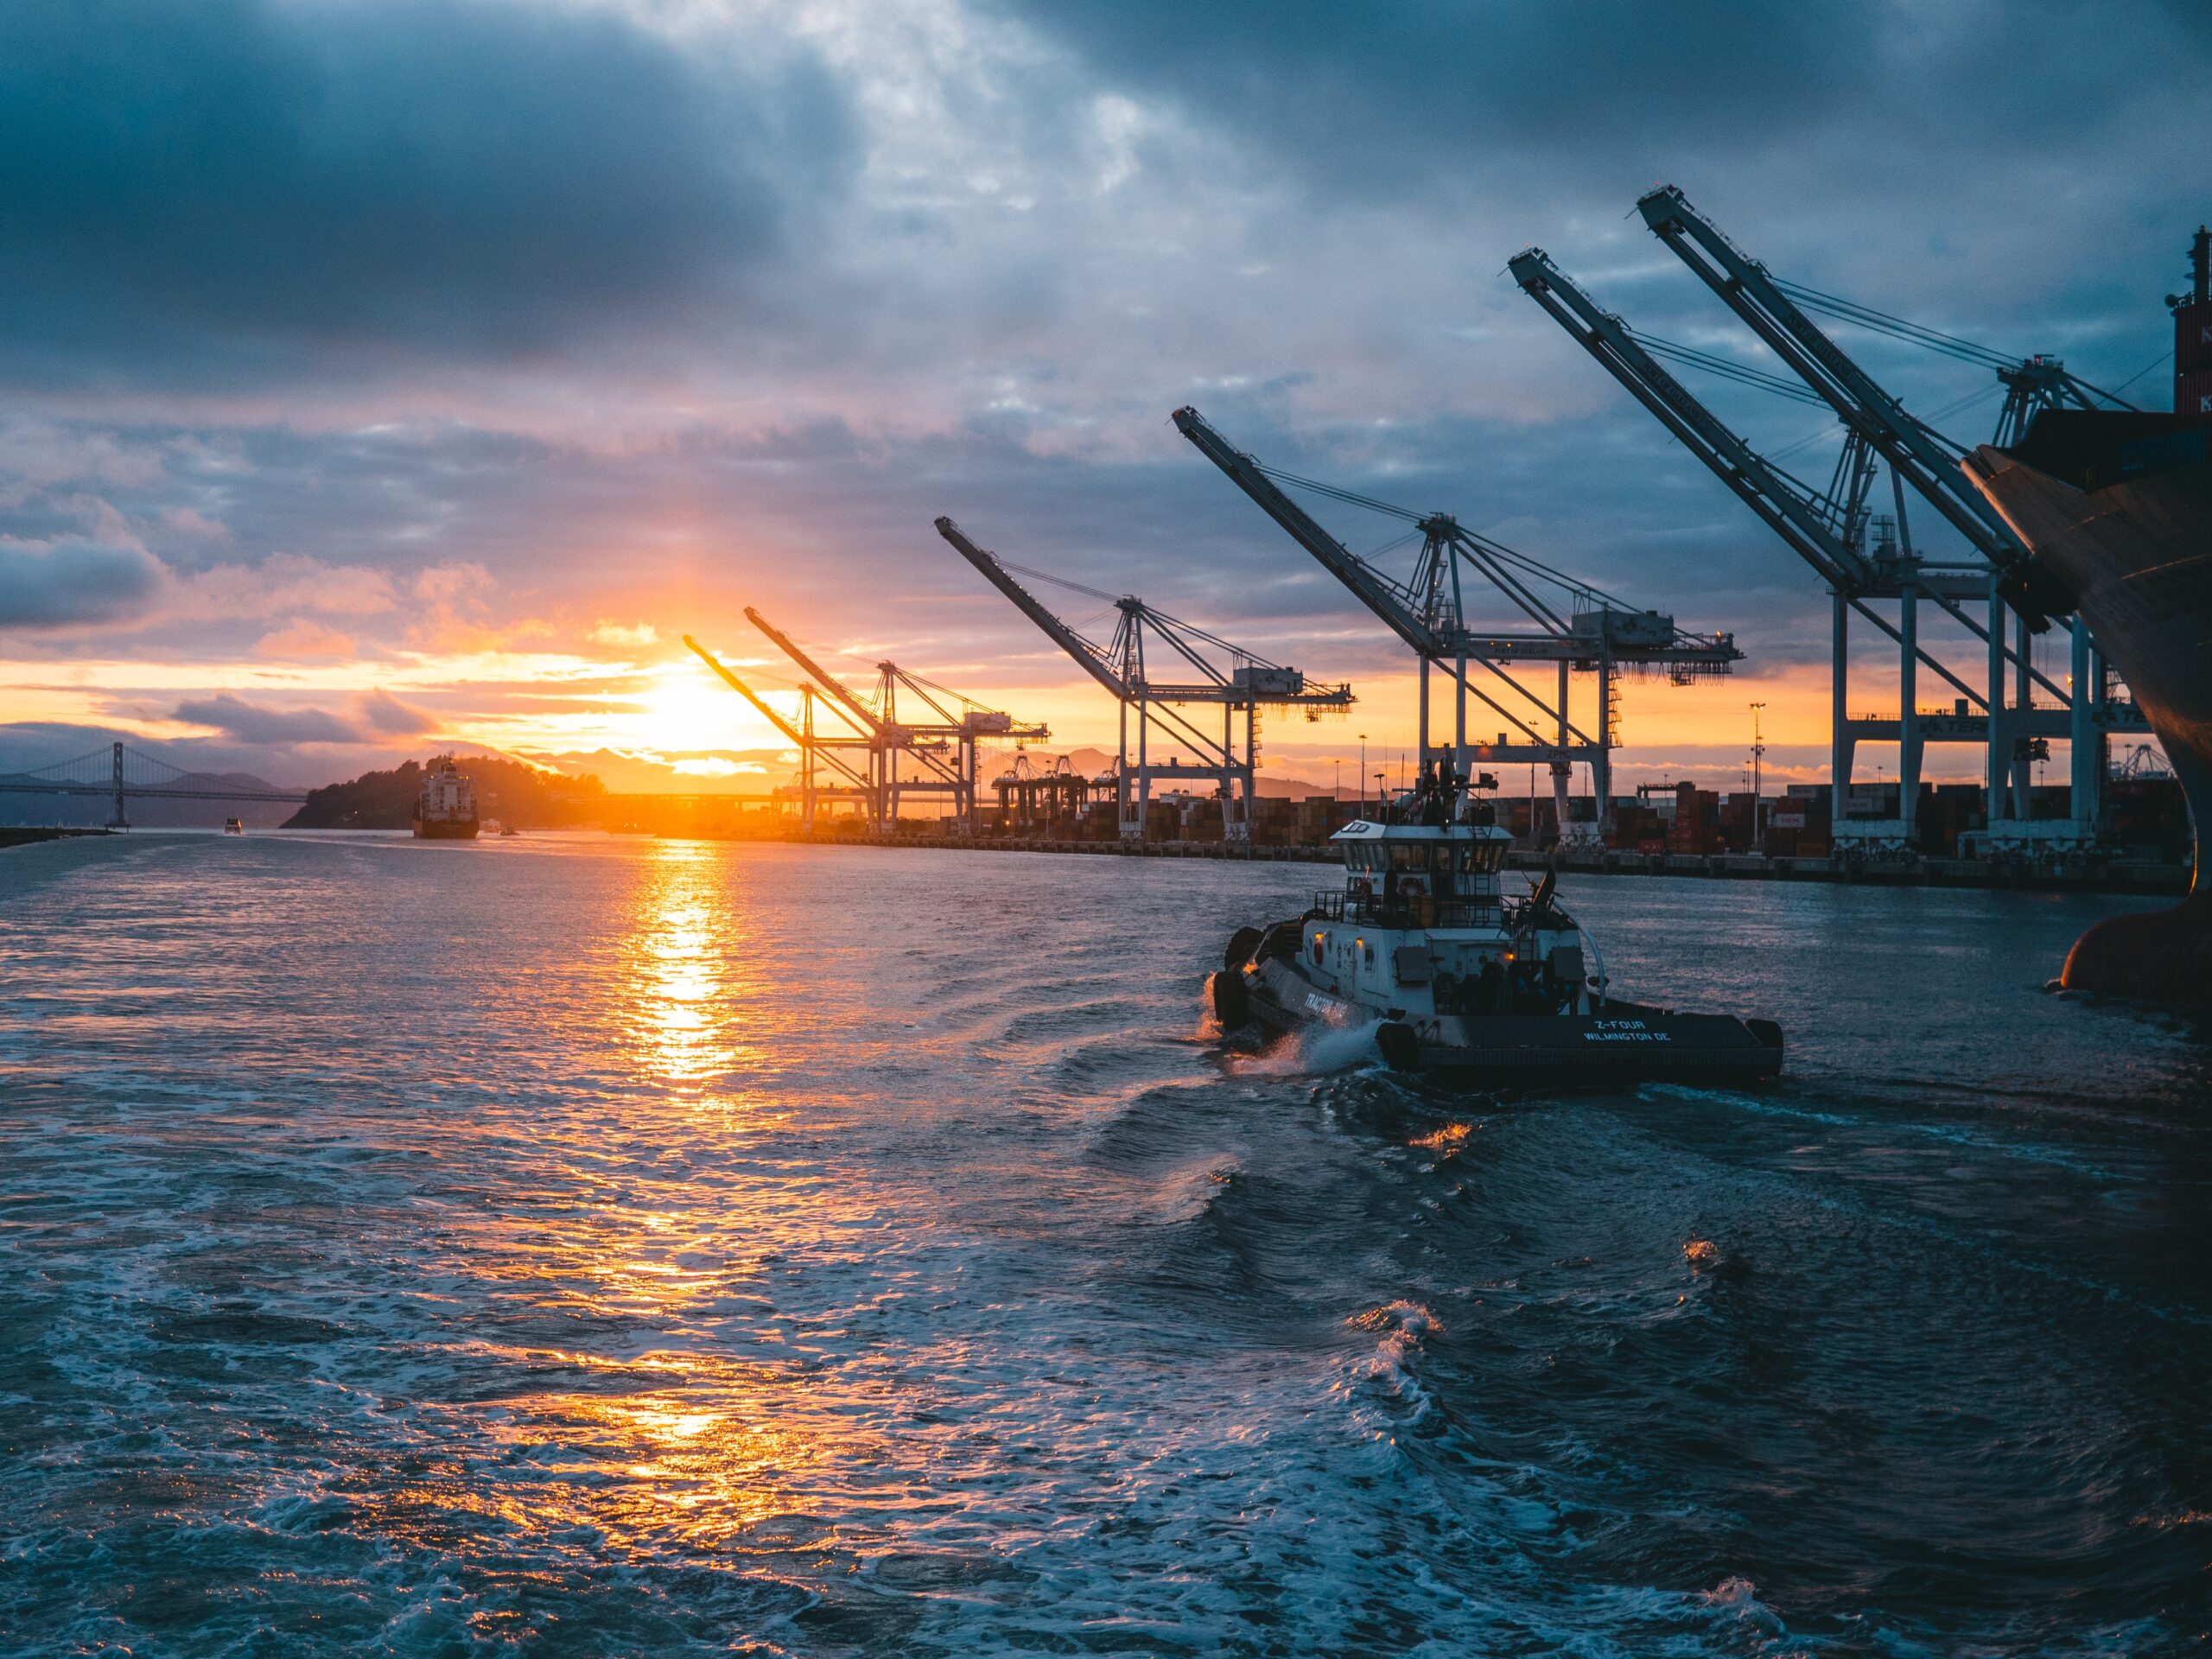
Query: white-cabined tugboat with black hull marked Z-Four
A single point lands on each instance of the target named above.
(1457, 979)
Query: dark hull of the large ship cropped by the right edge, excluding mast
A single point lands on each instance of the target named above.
(2136, 552)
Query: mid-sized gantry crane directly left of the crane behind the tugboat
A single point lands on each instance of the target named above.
(1123, 669)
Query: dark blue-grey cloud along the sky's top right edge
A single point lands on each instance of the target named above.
(1430, 98)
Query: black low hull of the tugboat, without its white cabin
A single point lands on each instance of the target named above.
(1627, 1043)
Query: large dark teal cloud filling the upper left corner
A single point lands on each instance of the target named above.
(231, 189)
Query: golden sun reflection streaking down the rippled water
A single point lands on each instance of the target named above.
(654, 1388)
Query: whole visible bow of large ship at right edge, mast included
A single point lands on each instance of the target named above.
(2118, 508)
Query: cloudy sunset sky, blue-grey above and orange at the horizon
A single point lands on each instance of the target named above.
(386, 375)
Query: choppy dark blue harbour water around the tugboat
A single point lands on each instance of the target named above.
(616, 1249)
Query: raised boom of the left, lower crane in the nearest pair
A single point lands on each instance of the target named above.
(1764, 488)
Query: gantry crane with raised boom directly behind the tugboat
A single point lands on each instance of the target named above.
(1585, 629)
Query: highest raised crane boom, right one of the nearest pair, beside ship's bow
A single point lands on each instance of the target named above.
(1919, 457)
